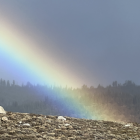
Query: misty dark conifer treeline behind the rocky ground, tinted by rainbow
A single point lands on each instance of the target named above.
(119, 101)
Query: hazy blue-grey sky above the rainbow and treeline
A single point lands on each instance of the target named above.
(96, 40)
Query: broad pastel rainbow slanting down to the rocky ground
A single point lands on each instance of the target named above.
(21, 57)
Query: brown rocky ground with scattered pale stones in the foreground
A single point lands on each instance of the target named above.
(21, 126)
